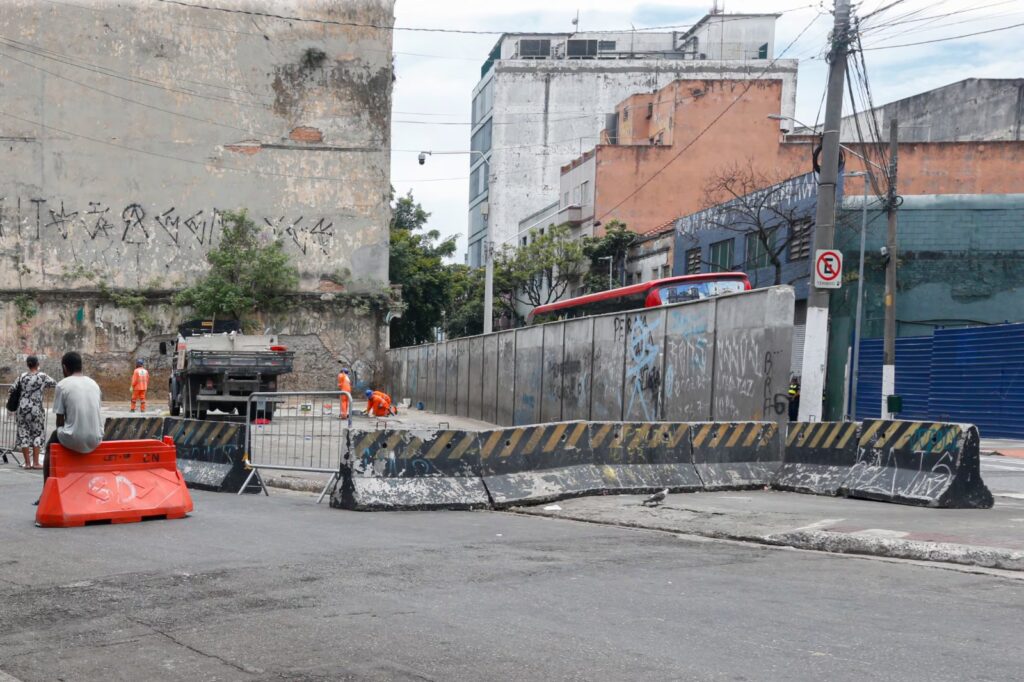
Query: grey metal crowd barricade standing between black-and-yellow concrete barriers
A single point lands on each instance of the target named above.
(296, 432)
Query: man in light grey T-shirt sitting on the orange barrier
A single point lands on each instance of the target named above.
(77, 405)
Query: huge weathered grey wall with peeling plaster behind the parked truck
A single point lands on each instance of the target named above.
(130, 130)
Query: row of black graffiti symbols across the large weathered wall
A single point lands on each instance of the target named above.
(44, 221)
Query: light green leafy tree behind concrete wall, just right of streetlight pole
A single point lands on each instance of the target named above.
(541, 271)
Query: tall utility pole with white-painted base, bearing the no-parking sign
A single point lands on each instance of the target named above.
(817, 332)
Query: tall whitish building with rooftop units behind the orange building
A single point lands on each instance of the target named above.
(543, 99)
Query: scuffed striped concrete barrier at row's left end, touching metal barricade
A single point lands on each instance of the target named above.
(414, 470)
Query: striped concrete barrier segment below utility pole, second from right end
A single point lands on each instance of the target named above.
(818, 457)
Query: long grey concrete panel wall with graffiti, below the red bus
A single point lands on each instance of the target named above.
(720, 360)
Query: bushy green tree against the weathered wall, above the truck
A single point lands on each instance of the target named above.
(248, 276)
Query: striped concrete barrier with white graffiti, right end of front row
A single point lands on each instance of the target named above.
(931, 464)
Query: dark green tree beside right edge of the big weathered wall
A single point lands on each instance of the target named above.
(417, 264)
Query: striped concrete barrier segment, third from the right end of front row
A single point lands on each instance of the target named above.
(736, 455)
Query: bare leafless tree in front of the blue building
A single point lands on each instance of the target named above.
(760, 206)
